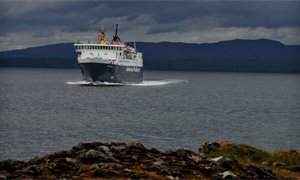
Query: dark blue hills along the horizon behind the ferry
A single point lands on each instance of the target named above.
(261, 55)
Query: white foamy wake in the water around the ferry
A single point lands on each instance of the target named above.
(143, 83)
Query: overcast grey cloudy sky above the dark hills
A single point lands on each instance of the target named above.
(27, 23)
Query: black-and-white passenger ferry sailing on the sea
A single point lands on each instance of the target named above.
(112, 62)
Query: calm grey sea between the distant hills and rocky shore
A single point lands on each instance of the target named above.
(45, 110)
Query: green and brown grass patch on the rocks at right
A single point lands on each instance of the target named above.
(245, 154)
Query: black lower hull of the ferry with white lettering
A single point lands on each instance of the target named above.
(93, 72)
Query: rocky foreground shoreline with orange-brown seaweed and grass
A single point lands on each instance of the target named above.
(132, 160)
